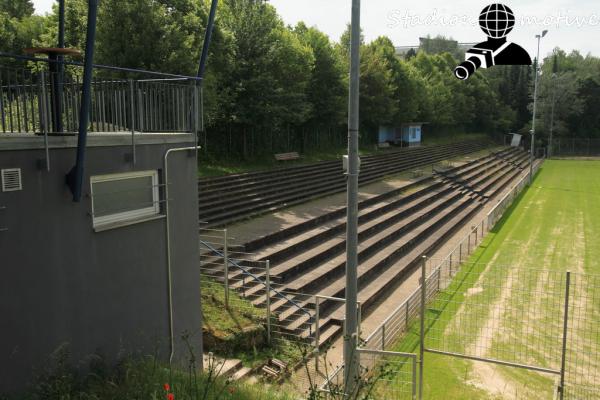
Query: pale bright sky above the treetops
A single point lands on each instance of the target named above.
(573, 24)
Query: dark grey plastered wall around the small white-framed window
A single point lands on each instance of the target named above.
(100, 292)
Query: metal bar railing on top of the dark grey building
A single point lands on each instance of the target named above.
(42, 102)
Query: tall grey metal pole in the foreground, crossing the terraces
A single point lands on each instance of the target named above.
(351, 361)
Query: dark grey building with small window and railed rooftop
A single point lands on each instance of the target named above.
(115, 273)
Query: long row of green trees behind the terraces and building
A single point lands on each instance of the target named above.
(271, 87)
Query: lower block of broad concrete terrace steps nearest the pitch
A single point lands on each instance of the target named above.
(394, 236)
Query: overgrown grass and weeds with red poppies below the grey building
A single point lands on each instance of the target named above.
(136, 377)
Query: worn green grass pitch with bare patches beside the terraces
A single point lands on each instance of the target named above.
(553, 227)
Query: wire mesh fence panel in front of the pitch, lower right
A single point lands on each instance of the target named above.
(536, 320)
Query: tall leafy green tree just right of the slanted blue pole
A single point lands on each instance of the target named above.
(267, 82)
